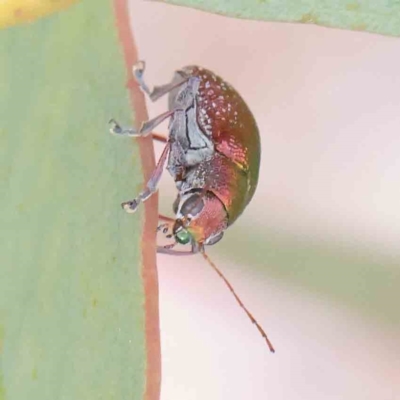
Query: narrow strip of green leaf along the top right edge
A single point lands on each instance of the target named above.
(381, 17)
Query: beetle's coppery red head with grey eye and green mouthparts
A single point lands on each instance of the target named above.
(201, 219)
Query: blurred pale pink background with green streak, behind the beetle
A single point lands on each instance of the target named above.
(327, 103)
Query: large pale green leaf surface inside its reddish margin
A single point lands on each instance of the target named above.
(72, 322)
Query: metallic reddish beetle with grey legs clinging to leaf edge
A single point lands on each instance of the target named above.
(212, 152)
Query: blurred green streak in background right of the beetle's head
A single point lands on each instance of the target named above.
(362, 279)
